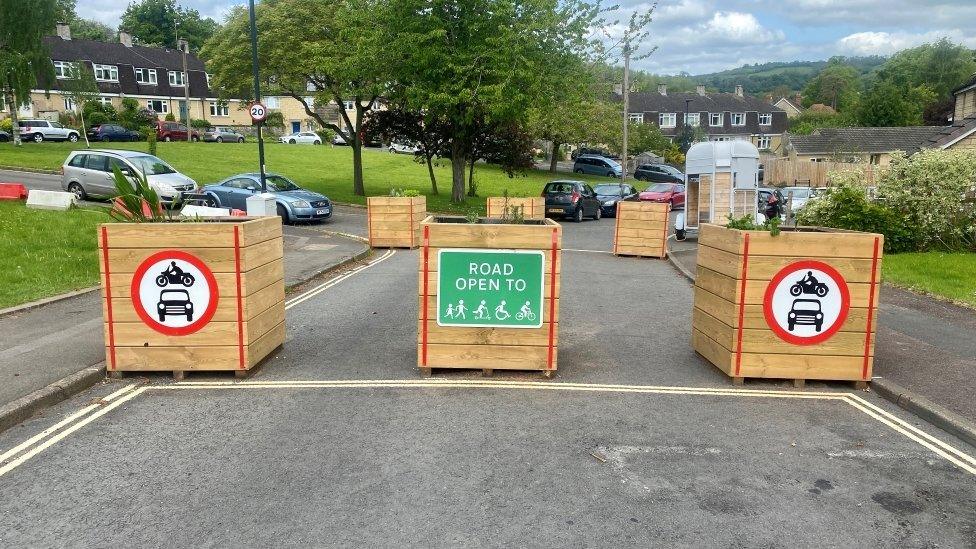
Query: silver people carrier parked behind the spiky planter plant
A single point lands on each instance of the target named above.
(89, 173)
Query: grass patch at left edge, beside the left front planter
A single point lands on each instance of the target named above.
(45, 253)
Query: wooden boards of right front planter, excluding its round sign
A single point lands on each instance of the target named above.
(729, 326)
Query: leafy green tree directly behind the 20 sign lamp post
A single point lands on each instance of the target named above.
(339, 59)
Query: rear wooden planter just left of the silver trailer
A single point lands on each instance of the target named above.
(641, 229)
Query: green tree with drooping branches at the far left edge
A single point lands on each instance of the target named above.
(24, 60)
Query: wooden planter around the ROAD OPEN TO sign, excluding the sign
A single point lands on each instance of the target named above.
(489, 347)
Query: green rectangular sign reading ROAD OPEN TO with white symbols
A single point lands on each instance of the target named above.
(490, 288)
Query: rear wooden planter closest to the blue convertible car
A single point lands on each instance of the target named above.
(394, 221)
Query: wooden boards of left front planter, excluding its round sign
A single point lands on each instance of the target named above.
(247, 323)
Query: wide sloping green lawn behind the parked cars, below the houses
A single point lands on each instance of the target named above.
(324, 169)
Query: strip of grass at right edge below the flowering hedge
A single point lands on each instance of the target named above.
(951, 276)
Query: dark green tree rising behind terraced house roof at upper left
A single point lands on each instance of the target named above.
(158, 22)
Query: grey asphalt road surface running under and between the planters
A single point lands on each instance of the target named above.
(338, 441)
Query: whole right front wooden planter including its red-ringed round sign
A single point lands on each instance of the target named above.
(744, 301)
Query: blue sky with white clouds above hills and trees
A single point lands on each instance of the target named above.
(699, 36)
